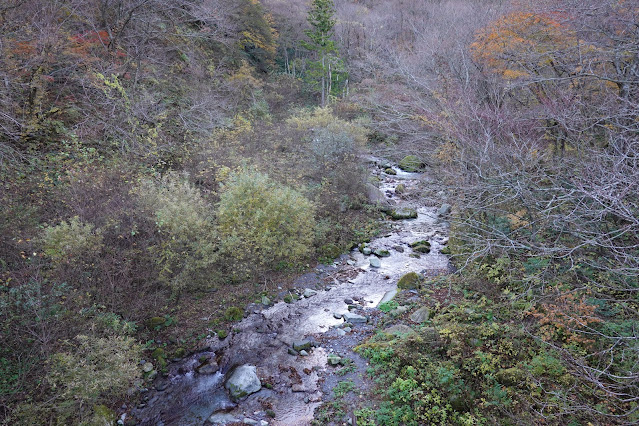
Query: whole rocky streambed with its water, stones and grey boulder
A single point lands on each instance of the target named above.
(278, 364)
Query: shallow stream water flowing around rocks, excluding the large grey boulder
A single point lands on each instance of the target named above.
(187, 397)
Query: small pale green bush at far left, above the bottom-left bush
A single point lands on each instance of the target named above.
(72, 240)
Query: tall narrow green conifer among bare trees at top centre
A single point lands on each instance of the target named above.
(328, 65)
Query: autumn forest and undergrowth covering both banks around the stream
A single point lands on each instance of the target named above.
(167, 160)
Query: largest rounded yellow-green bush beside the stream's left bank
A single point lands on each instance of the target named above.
(262, 224)
